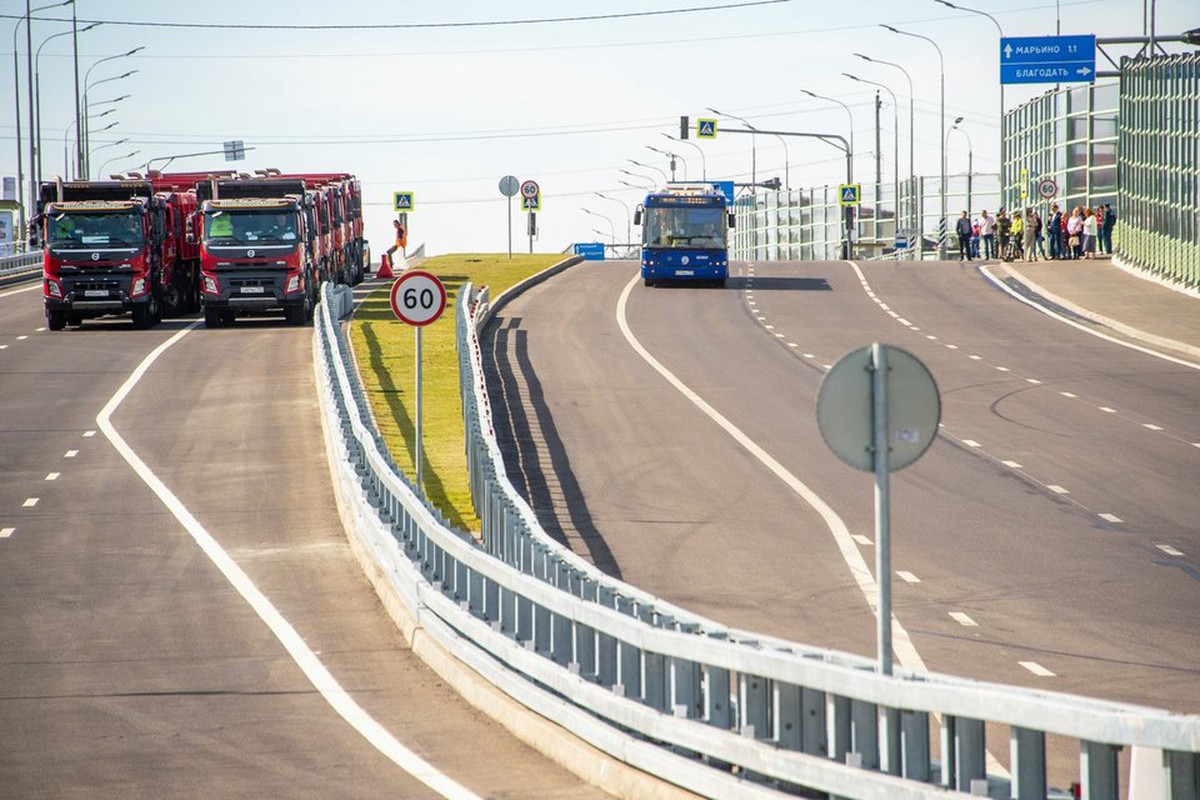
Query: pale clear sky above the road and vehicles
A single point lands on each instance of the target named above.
(446, 111)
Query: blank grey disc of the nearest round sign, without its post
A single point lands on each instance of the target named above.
(845, 401)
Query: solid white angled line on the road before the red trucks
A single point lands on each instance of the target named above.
(314, 670)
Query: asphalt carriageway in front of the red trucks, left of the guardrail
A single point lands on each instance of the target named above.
(130, 666)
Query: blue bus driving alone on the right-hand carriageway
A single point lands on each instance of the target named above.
(685, 234)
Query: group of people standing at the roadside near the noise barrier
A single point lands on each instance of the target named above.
(1025, 237)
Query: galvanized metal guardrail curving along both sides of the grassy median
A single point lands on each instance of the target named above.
(719, 712)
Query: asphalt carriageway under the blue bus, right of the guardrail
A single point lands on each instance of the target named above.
(1048, 538)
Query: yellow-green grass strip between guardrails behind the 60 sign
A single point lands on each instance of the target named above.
(386, 350)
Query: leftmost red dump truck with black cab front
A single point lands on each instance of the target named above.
(117, 248)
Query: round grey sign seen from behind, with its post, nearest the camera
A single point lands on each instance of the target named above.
(879, 410)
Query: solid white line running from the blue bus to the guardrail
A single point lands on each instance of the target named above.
(905, 651)
